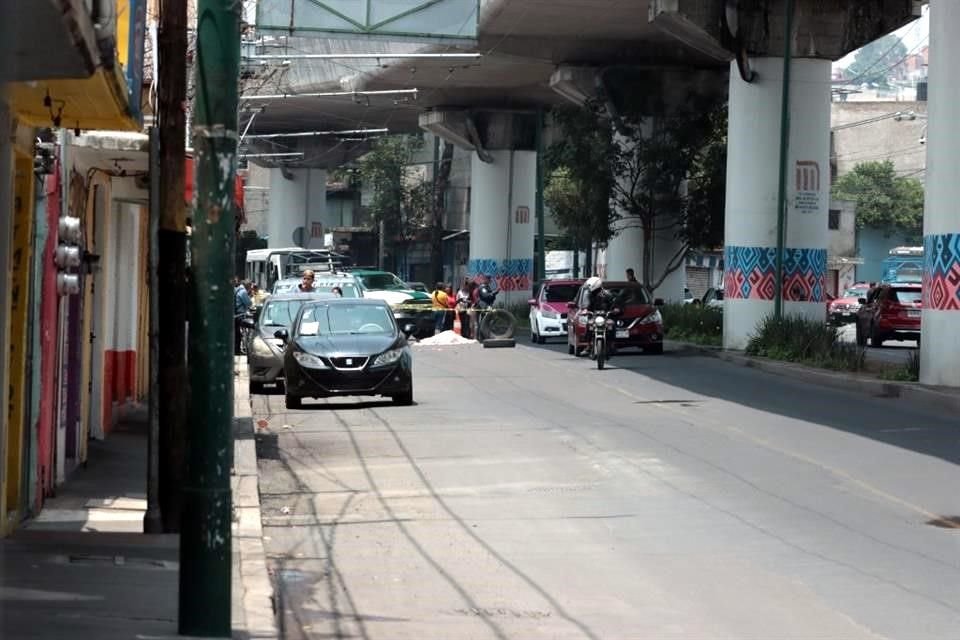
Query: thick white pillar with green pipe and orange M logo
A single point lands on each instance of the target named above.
(753, 160)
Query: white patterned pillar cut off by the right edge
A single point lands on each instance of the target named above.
(940, 339)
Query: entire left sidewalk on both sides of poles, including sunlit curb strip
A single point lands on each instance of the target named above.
(83, 569)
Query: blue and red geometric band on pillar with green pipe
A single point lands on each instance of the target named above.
(750, 273)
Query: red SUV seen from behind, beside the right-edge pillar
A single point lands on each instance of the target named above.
(890, 312)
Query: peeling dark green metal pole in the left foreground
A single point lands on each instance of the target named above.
(205, 545)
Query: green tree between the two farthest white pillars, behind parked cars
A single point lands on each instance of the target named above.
(402, 200)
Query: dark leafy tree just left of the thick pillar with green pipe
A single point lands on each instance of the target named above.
(671, 175)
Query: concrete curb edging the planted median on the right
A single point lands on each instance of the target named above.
(907, 391)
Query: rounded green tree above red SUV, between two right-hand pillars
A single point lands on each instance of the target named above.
(884, 200)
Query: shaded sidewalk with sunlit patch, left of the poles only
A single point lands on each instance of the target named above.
(82, 569)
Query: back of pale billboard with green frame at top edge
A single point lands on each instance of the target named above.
(447, 21)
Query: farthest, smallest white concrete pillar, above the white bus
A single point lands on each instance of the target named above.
(298, 207)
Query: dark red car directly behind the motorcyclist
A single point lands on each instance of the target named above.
(640, 324)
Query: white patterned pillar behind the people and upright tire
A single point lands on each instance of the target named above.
(502, 221)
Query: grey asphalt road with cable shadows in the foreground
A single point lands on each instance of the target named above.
(527, 495)
